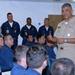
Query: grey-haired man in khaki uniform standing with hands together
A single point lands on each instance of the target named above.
(65, 34)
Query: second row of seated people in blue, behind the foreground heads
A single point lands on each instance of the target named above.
(7, 54)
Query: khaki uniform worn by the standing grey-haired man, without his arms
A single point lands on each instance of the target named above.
(66, 31)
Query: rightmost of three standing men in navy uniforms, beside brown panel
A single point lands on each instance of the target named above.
(46, 28)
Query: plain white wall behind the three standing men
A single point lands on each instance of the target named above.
(21, 10)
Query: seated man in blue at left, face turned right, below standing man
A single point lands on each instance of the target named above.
(6, 54)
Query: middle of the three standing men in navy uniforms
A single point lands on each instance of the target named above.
(28, 29)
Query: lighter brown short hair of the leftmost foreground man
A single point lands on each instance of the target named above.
(20, 52)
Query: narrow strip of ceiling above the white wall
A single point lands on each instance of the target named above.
(59, 1)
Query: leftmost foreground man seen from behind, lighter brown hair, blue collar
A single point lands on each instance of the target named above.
(19, 67)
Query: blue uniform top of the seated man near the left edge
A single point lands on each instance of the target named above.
(7, 58)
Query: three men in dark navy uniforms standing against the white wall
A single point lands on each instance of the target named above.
(13, 28)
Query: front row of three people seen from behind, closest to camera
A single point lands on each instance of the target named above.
(33, 60)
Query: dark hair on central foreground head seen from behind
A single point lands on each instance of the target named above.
(36, 56)
